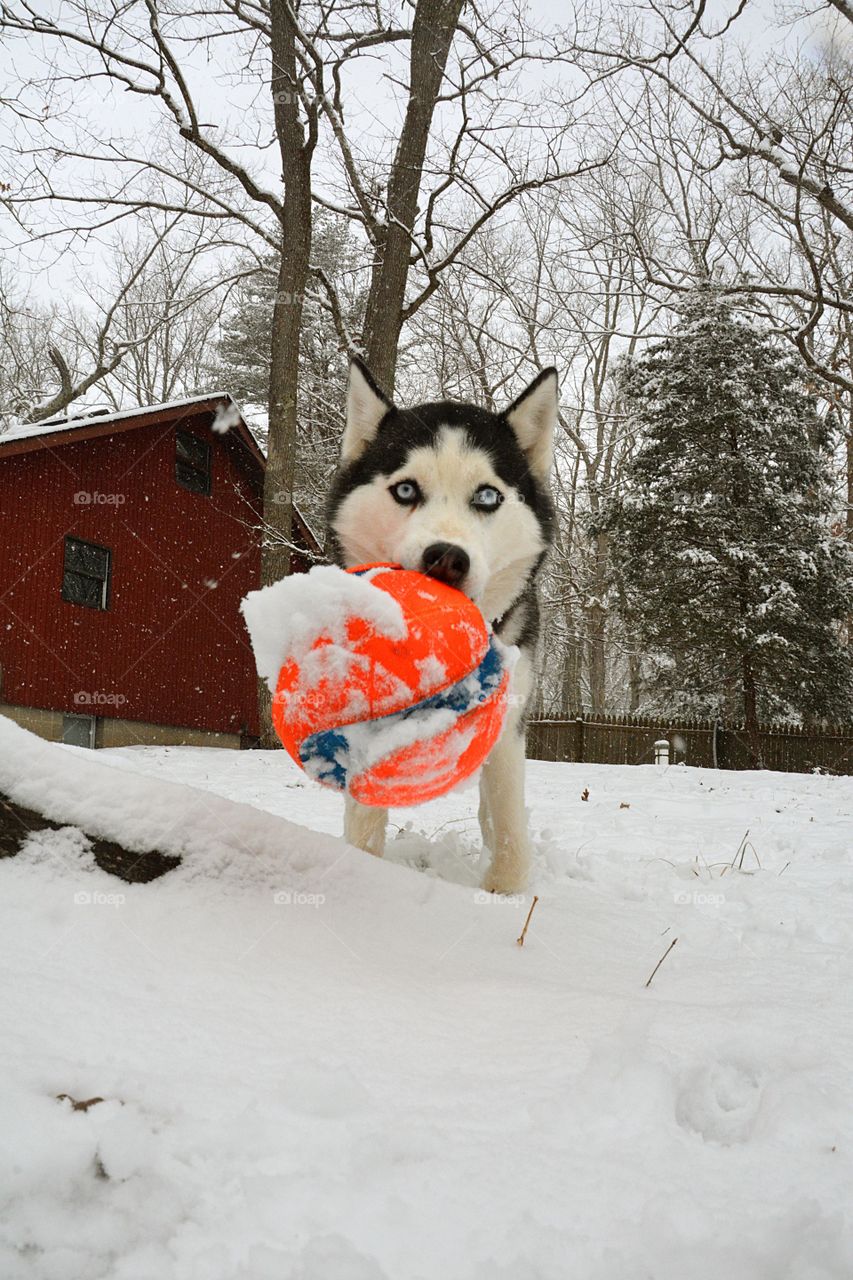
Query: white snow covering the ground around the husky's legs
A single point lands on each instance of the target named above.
(322, 1067)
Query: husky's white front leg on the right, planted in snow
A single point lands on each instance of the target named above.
(503, 816)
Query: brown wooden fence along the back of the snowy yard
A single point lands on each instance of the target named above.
(631, 740)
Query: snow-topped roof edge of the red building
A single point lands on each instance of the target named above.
(227, 417)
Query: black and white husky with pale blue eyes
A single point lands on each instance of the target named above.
(462, 495)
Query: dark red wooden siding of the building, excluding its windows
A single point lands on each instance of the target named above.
(171, 648)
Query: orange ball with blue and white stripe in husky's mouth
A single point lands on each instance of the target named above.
(396, 716)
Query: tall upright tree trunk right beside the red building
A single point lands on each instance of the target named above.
(295, 150)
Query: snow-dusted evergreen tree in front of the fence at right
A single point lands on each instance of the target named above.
(722, 540)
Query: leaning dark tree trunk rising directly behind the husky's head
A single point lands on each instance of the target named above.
(434, 30)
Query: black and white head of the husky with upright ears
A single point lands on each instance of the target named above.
(449, 490)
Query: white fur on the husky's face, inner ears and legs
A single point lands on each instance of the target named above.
(504, 548)
